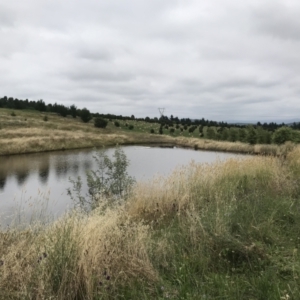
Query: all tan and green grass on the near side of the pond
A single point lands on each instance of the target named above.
(229, 230)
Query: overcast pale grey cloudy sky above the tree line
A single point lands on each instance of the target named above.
(222, 60)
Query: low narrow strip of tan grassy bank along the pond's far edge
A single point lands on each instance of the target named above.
(25, 140)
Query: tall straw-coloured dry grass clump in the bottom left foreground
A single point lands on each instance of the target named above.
(77, 257)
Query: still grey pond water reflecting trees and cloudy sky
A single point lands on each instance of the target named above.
(35, 182)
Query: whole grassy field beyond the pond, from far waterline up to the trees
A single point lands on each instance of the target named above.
(28, 131)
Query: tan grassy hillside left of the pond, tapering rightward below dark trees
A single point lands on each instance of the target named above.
(28, 132)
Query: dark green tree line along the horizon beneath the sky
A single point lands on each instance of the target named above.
(259, 133)
